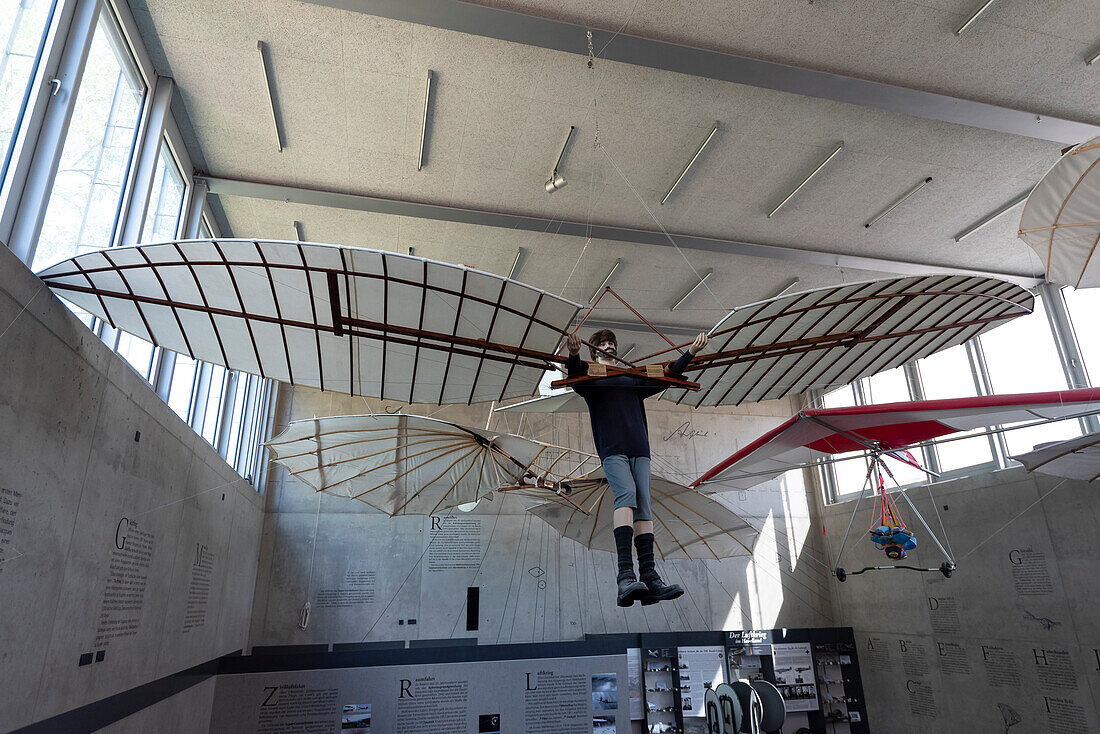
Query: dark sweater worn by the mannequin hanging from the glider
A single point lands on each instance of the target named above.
(617, 408)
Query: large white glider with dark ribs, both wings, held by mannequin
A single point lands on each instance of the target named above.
(386, 325)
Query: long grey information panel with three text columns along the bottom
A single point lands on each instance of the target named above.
(557, 696)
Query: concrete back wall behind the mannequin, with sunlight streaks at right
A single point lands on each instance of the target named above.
(534, 585)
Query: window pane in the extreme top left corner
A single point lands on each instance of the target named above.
(24, 27)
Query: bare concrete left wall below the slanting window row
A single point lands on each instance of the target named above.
(76, 481)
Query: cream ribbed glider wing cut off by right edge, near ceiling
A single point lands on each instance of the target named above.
(1061, 221)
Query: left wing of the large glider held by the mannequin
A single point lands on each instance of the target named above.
(347, 320)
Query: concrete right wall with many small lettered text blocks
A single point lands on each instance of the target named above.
(1011, 643)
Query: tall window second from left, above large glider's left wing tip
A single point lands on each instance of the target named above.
(87, 192)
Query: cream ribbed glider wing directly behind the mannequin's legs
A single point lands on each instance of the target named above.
(687, 524)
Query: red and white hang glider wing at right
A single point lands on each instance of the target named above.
(813, 434)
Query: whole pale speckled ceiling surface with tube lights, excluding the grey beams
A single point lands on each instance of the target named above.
(351, 95)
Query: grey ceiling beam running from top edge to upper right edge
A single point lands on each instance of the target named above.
(570, 38)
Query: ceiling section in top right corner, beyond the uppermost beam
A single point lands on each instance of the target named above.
(1019, 53)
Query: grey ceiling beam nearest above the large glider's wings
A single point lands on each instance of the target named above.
(219, 187)
